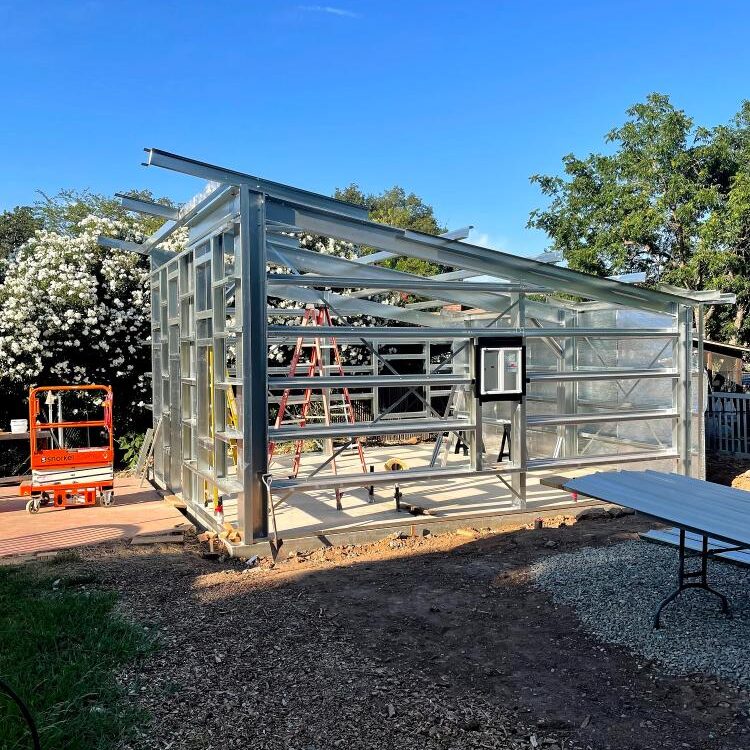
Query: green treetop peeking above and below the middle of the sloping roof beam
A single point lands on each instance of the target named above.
(398, 208)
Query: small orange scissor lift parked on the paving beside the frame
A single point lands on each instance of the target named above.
(69, 476)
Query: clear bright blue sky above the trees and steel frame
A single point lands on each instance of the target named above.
(458, 101)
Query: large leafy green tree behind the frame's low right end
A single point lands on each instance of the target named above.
(670, 198)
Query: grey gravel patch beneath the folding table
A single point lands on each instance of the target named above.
(615, 590)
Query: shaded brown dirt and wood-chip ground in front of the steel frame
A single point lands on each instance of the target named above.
(436, 642)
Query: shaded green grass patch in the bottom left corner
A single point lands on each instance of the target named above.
(60, 646)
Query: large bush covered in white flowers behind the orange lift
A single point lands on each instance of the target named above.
(74, 313)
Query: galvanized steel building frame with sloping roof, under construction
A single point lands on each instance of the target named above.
(258, 221)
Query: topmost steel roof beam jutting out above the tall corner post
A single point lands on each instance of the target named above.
(206, 171)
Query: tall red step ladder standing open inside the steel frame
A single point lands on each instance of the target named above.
(316, 365)
